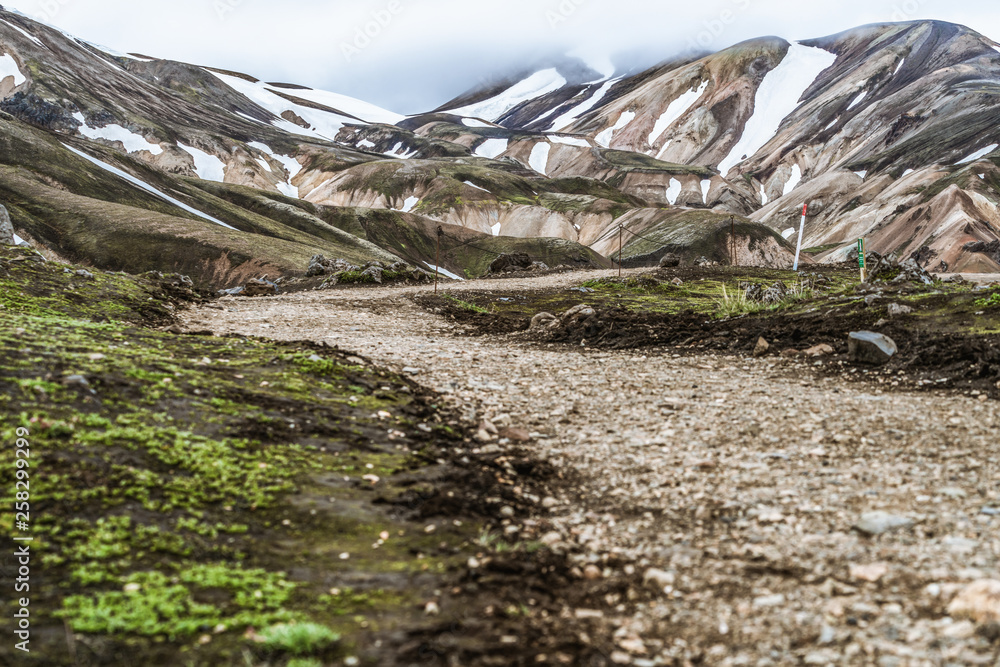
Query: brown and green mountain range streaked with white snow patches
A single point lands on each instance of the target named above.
(131, 162)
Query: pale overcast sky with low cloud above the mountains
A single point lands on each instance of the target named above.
(413, 55)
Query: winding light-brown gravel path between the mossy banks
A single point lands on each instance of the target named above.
(722, 491)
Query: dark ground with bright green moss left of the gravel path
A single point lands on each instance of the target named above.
(193, 496)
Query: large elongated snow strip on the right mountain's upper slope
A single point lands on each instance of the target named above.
(777, 97)
